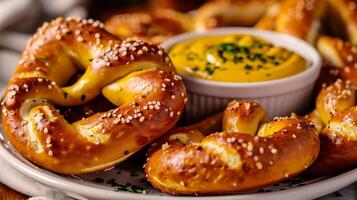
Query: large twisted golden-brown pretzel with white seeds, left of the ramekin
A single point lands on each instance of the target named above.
(135, 76)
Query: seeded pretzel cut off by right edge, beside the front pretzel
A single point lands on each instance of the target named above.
(336, 117)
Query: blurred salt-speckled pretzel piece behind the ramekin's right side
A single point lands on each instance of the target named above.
(300, 18)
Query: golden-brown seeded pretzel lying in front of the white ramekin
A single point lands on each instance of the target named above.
(247, 154)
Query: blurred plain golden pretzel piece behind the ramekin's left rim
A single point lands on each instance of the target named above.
(218, 13)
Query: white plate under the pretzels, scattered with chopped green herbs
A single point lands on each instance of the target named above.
(127, 181)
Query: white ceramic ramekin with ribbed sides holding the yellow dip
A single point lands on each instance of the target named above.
(279, 97)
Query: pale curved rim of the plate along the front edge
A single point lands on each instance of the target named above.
(313, 190)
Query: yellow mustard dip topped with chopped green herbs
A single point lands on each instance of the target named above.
(235, 58)
